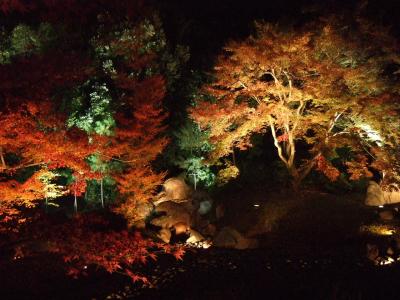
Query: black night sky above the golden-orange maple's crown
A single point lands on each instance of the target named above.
(206, 25)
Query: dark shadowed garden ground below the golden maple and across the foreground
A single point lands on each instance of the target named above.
(314, 250)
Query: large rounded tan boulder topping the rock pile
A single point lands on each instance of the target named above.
(174, 189)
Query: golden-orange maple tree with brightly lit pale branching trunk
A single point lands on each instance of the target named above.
(318, 84)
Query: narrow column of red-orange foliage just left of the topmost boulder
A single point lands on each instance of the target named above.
(138, 140)
